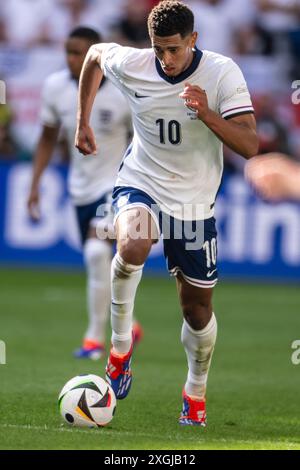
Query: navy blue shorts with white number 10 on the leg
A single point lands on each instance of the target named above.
(190, 247)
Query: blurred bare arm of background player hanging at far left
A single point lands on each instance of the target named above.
(43, 153)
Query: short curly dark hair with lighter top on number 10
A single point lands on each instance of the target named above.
(171, 17)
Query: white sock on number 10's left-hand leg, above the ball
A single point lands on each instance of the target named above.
(125, 280)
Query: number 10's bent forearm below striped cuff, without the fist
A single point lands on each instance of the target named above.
(238, 133)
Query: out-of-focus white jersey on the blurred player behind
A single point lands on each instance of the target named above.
(90, 176)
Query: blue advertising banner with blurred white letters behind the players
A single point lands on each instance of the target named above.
(255, 239)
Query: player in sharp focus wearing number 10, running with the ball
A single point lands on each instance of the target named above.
(185, 103)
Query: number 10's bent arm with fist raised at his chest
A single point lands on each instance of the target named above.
(238, 132)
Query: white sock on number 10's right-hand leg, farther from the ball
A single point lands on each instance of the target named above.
(199, 347)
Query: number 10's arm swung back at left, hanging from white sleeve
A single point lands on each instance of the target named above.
(90, 79)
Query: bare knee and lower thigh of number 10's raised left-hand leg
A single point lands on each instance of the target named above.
(136, 232)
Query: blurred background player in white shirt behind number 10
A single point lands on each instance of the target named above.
(90, 180)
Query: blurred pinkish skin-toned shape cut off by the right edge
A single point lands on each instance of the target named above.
(275, 176)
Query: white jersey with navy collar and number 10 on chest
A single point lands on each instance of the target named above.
(175, 157)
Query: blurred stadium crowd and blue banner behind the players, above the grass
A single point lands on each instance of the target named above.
(255, 239)
